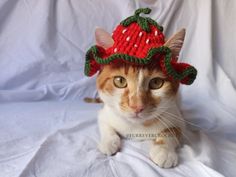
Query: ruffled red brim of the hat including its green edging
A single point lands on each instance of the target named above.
(182, 72)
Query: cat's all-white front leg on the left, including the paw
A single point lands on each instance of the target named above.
(110, 141)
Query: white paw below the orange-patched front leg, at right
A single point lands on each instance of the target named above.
(164, 157)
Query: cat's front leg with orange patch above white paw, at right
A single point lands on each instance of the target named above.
(163, 149)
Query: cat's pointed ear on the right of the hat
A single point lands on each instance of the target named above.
(175, 42)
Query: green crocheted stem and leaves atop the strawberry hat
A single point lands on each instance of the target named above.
(143, 22)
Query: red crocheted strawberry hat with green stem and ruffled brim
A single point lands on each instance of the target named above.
(139, 41)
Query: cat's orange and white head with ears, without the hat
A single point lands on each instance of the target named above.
(137, 93)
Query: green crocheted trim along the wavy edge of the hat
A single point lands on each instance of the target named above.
(187, 76)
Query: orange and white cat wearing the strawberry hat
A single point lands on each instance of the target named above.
(140, 104)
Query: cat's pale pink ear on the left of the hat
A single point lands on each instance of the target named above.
(103, 38)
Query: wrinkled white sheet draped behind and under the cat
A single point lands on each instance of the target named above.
(45, 128)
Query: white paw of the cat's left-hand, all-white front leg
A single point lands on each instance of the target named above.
(110, 146)
